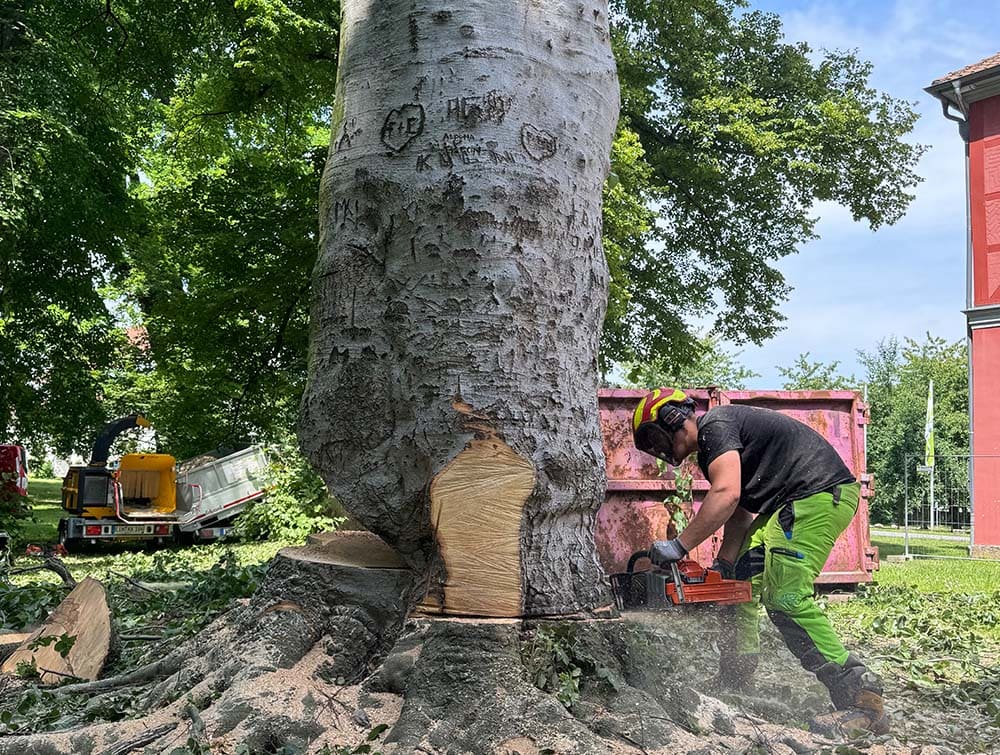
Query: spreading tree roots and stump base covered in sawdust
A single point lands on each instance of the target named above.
(320, 657)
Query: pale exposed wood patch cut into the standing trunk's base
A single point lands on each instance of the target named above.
(477, 503)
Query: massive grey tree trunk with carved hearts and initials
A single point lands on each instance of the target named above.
(459, 295)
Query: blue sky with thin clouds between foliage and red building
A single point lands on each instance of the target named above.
(854, 287)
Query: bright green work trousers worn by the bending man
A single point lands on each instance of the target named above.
(795, 542)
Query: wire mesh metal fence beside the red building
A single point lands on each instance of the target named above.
(938, 506)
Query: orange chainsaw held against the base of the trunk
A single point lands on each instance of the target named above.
(681, 583)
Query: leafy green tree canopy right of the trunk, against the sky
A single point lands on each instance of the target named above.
(740, 134)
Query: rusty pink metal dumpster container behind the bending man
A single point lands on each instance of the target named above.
(633, 514)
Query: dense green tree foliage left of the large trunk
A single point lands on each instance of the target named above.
(164, 160)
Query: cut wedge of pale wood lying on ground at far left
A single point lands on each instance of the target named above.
(85, 614)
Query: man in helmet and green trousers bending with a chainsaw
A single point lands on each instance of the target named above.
(782, 495)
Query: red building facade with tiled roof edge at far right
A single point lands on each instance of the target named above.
(971, 96)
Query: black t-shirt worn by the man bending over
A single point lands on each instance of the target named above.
(782, 459)
